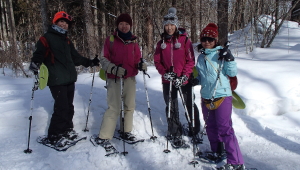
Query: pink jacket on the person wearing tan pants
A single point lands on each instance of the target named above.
(126, 53)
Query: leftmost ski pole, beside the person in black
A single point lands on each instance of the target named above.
(34, 88)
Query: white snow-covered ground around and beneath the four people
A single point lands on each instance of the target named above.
(268, 129)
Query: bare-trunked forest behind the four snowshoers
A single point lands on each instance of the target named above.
(22, 22)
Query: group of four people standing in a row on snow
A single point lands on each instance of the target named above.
(121, 59)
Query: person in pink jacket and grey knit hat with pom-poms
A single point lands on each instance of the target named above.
(174, 59)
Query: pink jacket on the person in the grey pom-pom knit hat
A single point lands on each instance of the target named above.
(183, 58)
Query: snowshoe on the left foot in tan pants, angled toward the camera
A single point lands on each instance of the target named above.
(109, 148)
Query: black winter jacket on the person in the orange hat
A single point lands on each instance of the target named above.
(66, 57)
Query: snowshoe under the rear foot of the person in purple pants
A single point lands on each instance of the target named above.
(211, 157)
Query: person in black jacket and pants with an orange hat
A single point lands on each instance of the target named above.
(61, 64)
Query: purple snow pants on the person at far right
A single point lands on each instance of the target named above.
(219, 129)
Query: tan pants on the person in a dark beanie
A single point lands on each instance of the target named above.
(113, 112)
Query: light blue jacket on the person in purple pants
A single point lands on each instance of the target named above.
(207, 67)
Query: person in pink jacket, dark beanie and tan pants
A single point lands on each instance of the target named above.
(124, 60)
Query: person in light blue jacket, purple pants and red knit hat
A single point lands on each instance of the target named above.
(214, 65)
